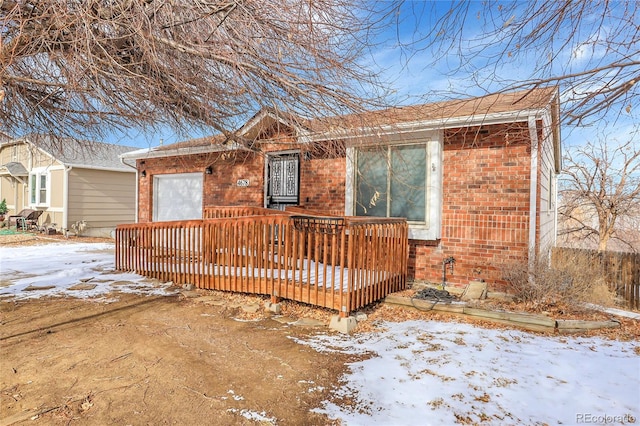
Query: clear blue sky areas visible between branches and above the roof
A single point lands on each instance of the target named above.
(403, 58)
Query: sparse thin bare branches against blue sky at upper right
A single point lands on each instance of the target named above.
(591, 49)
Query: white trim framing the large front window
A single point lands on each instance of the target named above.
(432, 229)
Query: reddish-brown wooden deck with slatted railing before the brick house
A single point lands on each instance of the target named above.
(341, 263)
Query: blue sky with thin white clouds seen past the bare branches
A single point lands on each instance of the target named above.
(419, 71)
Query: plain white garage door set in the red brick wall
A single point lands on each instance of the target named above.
(177, 197)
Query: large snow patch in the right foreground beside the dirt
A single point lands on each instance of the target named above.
(434, 373)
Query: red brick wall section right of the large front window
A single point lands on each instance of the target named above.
(485, 205)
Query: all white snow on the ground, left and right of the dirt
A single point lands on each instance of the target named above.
(413, 372)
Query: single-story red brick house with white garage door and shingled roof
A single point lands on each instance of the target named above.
(476, 178)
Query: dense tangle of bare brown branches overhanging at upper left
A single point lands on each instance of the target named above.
(77, 67)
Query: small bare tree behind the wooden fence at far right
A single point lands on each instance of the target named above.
(600, 194)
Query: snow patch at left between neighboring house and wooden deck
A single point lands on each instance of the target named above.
(84, 270)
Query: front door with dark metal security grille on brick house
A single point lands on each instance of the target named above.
(283, 184)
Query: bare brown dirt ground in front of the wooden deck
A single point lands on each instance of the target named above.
(187, 359)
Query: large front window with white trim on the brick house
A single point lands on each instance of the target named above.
(399, 180)
